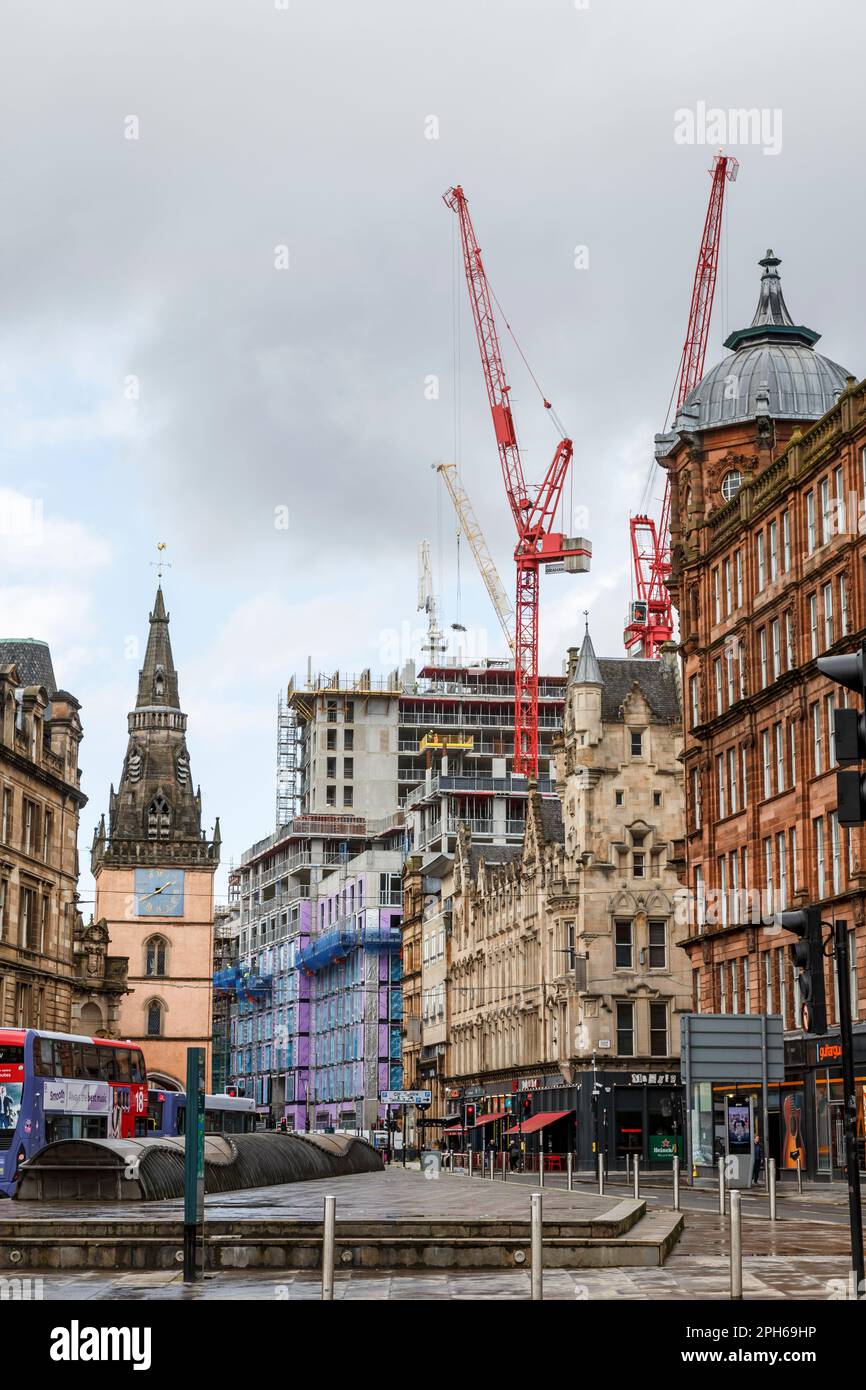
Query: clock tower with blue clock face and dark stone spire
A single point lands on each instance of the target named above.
(155, 875)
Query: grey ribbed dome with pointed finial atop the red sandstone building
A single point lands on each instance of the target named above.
(772, 370)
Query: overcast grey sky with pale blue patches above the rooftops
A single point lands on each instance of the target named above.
(166, 376)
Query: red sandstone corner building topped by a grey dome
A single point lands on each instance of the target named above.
(768, 462)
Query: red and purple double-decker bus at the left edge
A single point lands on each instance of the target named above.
(60, 1086)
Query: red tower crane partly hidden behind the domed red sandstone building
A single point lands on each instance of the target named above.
(651, 616)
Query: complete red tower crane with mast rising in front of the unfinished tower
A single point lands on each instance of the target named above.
(534, 509)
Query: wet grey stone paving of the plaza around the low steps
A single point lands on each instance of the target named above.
(792, 1260)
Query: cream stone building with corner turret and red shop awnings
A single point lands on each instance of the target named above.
(566, 979)
